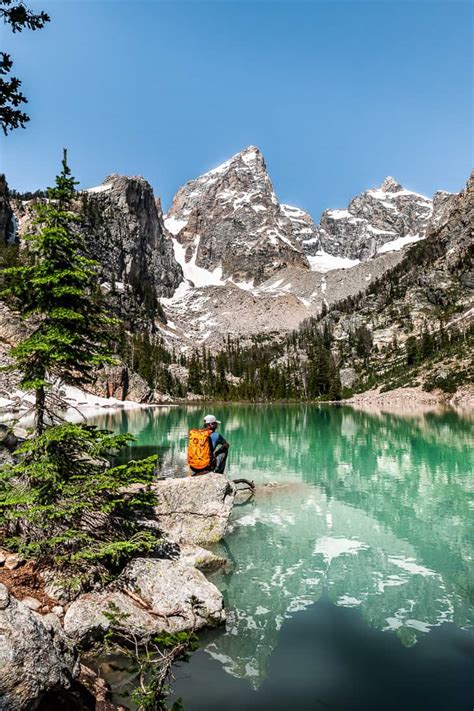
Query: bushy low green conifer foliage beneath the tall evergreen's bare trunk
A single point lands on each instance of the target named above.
(63, 504)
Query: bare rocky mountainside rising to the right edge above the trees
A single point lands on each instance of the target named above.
(429, 290)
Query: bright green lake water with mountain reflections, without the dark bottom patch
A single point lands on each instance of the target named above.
(373, 511)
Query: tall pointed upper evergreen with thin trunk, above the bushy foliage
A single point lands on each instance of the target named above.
(55, 290)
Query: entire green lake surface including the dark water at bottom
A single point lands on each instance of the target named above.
(351, 577)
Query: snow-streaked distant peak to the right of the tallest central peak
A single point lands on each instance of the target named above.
(375, 221)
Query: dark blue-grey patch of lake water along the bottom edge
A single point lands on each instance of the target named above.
(329, 659)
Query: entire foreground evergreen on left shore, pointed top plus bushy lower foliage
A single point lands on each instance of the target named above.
(62, 502)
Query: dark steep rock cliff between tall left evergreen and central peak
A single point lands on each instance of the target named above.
(126, 235)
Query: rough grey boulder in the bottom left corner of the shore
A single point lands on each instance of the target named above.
(35, 655)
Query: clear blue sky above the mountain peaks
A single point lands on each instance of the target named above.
(336, 94)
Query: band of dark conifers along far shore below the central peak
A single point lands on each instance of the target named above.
(298, 367)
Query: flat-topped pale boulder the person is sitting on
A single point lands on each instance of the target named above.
(195, 509)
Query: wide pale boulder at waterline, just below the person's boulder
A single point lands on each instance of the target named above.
(151, 596)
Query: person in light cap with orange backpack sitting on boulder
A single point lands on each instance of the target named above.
(207, 449)
